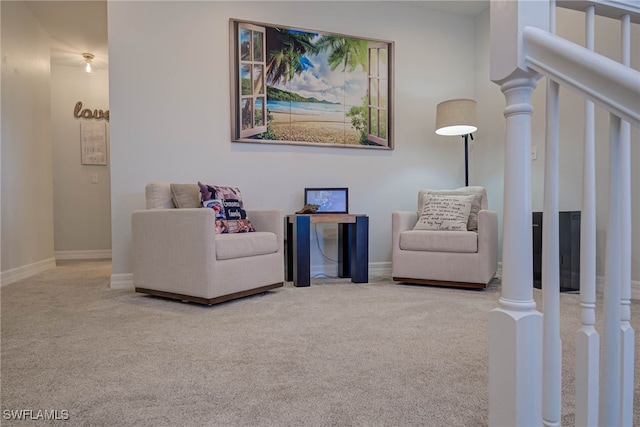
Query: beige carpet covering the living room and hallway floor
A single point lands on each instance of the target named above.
(333, 354)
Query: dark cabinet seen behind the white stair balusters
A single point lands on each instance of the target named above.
(569, 230)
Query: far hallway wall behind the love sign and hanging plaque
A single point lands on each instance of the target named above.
(82, 209)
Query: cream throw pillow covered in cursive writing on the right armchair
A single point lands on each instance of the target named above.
(441, 212)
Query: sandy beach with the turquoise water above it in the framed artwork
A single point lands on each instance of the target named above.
(324, 123)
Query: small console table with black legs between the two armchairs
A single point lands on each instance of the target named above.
(353, 246)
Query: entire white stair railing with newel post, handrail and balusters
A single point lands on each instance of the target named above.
(604, 391)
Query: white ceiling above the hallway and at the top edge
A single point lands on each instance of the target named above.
(78, 26)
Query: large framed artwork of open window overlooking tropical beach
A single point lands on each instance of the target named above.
(304, 87)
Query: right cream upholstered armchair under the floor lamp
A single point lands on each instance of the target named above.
(464, 257)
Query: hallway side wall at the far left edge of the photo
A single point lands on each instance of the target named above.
(27, 191)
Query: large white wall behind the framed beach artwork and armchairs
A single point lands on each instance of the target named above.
(170, 120)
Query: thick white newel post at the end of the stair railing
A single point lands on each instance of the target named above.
(515, 326)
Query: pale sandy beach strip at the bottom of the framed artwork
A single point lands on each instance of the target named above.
(329, 128)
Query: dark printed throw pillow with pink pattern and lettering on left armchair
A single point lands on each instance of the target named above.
(227, 204)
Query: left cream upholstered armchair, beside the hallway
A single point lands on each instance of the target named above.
(177, 252)
